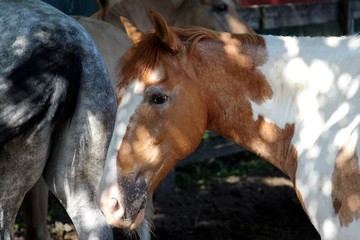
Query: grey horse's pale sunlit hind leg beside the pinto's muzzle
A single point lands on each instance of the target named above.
(74, 169)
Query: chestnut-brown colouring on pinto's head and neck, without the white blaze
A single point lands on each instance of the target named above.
(201, 90)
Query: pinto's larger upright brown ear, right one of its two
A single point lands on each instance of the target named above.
(164, 33)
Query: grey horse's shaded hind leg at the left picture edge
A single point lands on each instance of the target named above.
(22, 161)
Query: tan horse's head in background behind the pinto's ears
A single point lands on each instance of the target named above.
(219, 15)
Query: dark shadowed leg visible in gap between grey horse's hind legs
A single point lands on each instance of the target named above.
(35, 206)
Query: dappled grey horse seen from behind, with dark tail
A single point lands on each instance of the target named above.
(57, 108)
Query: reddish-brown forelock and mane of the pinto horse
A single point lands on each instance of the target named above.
(145, 55)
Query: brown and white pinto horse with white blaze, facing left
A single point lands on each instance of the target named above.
(292, 100)
